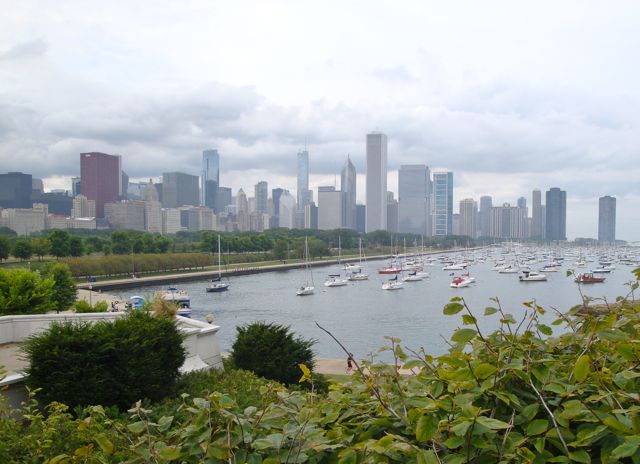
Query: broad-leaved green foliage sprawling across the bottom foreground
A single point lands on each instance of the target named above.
(516, 395)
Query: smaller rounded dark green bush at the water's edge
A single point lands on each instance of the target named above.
(271, 351)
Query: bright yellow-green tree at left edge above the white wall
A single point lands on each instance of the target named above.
(25, 292)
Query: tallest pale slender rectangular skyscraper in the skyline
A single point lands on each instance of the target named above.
(376, 182)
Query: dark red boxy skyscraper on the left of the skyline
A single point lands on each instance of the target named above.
(101, 178)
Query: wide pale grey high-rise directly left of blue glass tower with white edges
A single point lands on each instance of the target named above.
(413, 184)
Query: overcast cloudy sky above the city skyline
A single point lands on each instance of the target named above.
(510, 96)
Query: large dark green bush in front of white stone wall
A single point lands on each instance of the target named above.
(111, 363)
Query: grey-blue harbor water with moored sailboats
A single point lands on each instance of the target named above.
(360, 314)
